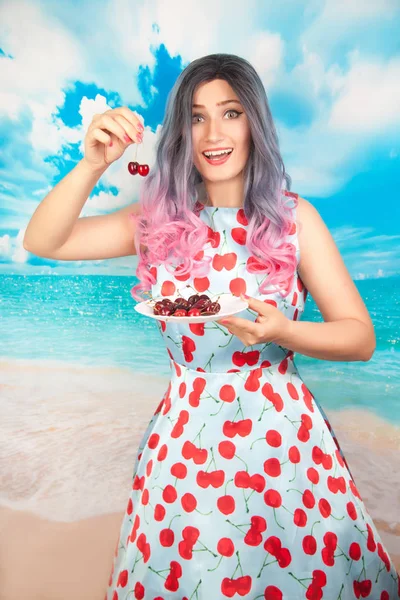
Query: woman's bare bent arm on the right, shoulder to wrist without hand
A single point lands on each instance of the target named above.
(347, 332)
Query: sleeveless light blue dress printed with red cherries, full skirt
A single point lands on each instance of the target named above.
(240, 488)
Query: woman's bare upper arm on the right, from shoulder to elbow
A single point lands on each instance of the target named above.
(322, 269)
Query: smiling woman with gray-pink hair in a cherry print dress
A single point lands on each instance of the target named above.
(240, 488)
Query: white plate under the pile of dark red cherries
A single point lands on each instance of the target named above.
(230, 305)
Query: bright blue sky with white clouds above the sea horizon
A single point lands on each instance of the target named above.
(330, 68)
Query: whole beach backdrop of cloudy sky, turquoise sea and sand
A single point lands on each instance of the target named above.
(81, 372)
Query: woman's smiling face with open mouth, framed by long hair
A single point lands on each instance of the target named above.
(224, 126)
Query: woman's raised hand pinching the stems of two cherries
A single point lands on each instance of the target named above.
(109, 134)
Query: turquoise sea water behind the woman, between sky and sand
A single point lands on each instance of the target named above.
(90, 320)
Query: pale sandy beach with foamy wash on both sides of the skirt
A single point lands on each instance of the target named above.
(68, 444)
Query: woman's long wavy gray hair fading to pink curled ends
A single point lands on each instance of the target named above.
(168, 231)
